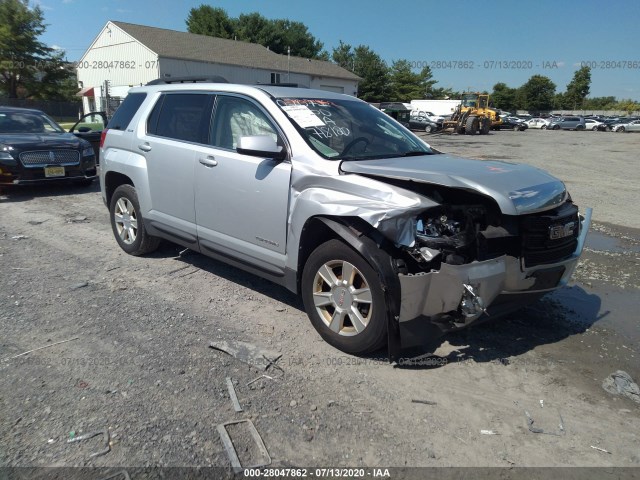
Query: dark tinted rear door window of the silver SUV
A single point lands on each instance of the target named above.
(182, 116)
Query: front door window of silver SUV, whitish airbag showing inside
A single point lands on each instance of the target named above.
(236, 117)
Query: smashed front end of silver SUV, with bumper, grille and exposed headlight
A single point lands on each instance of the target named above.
(470, 261)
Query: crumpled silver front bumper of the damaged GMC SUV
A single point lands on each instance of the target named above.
(433, 303)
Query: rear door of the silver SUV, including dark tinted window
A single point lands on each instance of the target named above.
(177, 125)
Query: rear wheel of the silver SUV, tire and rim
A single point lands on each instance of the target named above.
(127, 222)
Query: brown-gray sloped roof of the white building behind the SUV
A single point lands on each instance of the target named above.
(203, 48)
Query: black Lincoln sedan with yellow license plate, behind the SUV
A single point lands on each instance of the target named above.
(34, 148)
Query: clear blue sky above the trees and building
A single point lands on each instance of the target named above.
(505, 41)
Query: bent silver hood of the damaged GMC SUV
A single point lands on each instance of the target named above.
(516, 188)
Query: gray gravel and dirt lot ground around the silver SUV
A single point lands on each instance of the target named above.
(138, 361)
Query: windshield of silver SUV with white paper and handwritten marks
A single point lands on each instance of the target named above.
(346, 129)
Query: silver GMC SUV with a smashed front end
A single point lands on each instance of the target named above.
(387, 240)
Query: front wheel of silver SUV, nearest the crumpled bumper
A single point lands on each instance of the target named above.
(344, 299)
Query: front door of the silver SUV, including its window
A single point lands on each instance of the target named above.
(242, 201)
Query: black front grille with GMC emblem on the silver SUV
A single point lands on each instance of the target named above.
(538, 246)
